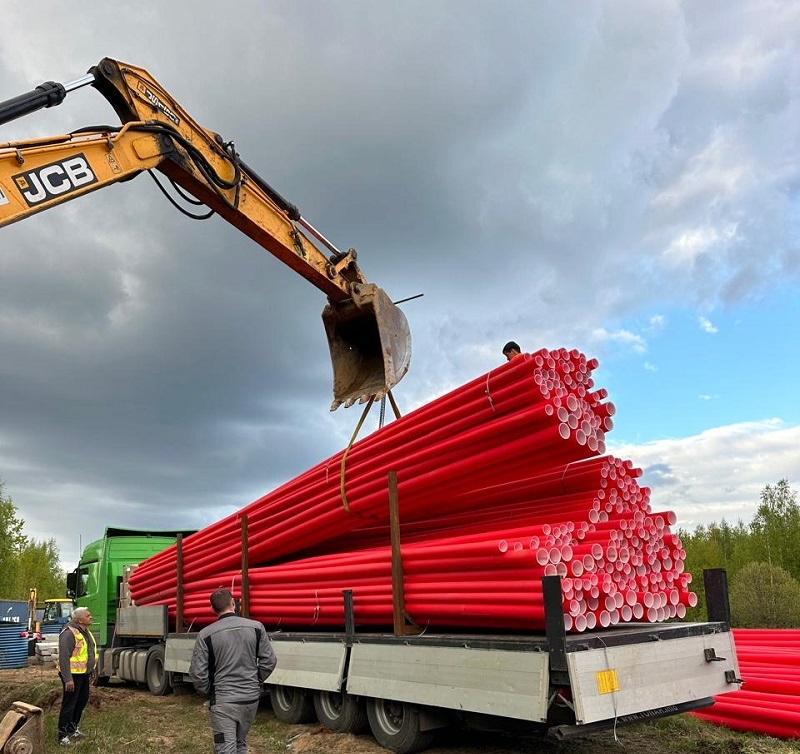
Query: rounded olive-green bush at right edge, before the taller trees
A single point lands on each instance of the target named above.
(764, 596)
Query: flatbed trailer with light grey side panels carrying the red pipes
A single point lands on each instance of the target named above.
(405, 687)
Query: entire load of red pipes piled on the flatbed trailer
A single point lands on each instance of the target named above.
(500, 482)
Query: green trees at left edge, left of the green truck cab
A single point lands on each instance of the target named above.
(25, 562)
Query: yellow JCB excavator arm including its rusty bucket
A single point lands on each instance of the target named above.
(368, 336)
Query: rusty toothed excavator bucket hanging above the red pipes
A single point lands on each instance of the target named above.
(370, 345)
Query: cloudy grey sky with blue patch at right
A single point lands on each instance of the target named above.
(618, 177)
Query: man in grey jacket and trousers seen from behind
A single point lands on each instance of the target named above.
(231, 660)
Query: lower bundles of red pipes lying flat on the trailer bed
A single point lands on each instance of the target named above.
(479, 580)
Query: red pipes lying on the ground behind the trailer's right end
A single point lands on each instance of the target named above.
(769, 700)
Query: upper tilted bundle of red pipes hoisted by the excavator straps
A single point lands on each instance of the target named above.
(516, 419)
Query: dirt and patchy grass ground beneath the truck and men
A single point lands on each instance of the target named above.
(38, 685)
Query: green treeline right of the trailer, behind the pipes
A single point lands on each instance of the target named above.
(761, 558)
